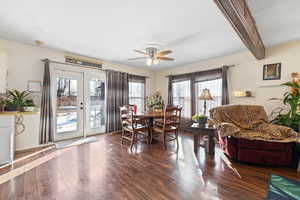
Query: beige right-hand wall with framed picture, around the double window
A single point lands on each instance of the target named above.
(247, 73)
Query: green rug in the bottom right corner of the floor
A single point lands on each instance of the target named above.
(281, 188)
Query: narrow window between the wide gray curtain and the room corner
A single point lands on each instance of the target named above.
(137, 92)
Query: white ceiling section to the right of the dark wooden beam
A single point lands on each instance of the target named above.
(277, 21)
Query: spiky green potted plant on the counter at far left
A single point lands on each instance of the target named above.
(16, 100)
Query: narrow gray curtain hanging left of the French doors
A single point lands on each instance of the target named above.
(46, 118)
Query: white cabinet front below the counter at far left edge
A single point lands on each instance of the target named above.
(6, 139)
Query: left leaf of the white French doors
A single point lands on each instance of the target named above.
(69, 105)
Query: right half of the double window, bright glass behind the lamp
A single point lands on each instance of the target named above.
(215, 88)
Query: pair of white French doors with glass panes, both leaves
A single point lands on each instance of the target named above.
(78, 98)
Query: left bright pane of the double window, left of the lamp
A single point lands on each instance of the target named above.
(182, 96)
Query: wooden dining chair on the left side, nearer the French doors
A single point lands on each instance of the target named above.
(134, 129)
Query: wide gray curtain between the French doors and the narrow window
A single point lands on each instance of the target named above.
(117, 95)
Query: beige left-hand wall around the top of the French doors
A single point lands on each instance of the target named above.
(24, 63)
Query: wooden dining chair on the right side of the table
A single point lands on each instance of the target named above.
(169, 126)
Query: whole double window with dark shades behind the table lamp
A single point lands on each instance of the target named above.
(185, 90)
